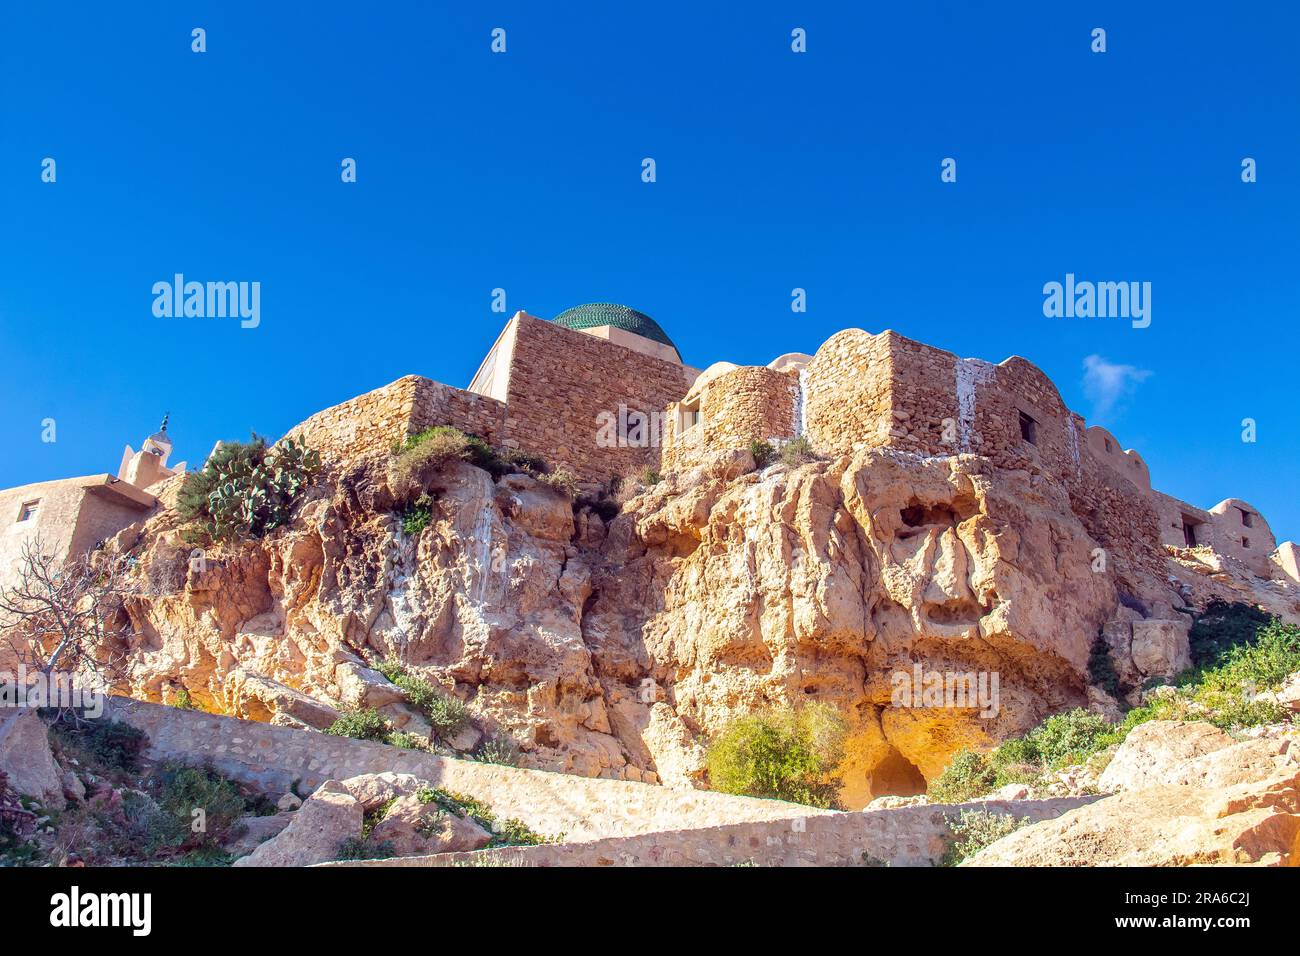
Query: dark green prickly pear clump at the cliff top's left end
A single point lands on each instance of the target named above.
(245, 490)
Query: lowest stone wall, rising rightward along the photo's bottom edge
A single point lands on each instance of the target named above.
(898, 837)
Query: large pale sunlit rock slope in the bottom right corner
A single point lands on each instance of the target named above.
(1256, 824)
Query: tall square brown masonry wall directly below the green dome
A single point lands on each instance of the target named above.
(561, 382)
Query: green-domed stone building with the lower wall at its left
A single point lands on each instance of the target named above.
(587, 391)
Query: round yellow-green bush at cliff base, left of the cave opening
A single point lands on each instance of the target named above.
(781, 754)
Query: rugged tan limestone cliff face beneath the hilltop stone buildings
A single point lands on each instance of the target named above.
(616, 648)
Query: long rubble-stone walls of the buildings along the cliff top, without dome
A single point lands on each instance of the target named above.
(860, 391)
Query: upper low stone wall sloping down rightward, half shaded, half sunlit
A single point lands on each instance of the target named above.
(582, 808)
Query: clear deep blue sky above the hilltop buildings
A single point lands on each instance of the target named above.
(523, 171)
